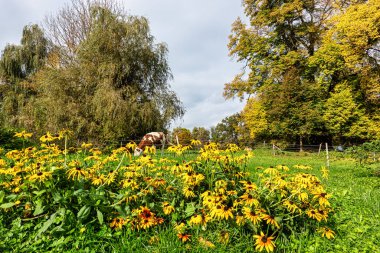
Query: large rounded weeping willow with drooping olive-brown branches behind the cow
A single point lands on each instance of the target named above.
(105, 78)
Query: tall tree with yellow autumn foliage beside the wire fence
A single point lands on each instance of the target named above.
(306, 62)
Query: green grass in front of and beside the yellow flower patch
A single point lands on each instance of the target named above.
(356, 220)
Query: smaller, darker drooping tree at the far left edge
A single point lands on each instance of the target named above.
(18, 63)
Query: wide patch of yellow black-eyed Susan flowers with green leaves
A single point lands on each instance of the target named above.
(193, 197)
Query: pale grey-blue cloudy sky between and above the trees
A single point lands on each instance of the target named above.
(196, 33)
